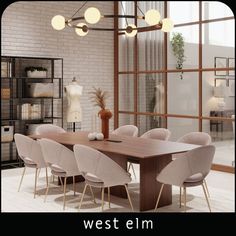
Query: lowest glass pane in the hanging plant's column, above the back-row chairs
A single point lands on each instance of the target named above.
(181, 126)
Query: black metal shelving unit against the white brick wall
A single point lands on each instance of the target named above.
(13, 77)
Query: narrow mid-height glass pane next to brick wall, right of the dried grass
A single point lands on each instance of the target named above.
(126, 92)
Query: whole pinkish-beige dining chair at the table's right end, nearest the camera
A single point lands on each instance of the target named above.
(188, 171)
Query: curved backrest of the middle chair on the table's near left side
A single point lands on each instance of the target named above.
(57, 154)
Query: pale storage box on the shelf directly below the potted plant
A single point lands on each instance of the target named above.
(40, 90)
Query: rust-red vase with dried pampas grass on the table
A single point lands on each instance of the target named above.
(99, 98)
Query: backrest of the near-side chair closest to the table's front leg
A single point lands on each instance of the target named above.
(91, 161)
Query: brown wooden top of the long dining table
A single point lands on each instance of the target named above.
(129, 146)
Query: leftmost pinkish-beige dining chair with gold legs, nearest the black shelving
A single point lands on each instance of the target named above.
(29, 151)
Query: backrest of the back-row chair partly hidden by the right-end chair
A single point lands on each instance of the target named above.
(198, 138)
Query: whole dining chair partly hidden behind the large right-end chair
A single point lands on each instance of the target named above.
(197, 138)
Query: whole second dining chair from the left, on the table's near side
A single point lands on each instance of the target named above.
(61, 161)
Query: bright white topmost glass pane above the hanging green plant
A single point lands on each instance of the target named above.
(183, 11)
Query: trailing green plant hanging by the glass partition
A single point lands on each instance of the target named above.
(177, 43)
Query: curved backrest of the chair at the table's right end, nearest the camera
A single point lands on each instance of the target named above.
(195, 161)
